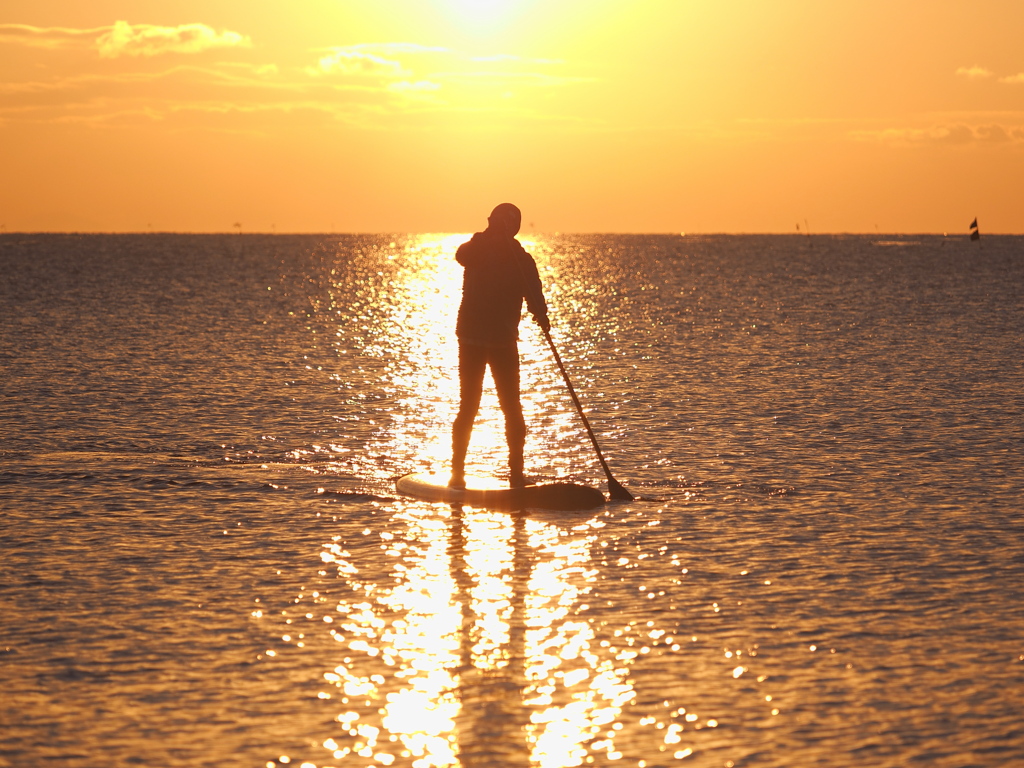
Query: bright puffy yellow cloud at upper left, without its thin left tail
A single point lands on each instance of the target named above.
(124, 39)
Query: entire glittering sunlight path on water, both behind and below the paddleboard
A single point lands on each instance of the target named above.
(474, 624)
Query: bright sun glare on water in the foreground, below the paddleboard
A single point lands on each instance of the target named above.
(470, 649)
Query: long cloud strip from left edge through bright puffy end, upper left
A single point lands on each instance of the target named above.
(123, 39)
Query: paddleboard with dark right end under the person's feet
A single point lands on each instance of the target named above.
(480, 493)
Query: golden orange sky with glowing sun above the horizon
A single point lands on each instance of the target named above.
(626, 116)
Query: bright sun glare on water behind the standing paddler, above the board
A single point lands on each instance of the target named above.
(405, 371)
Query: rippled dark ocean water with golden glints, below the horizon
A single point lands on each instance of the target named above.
(203, 562)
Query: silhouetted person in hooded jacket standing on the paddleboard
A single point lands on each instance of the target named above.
(499, 275)
